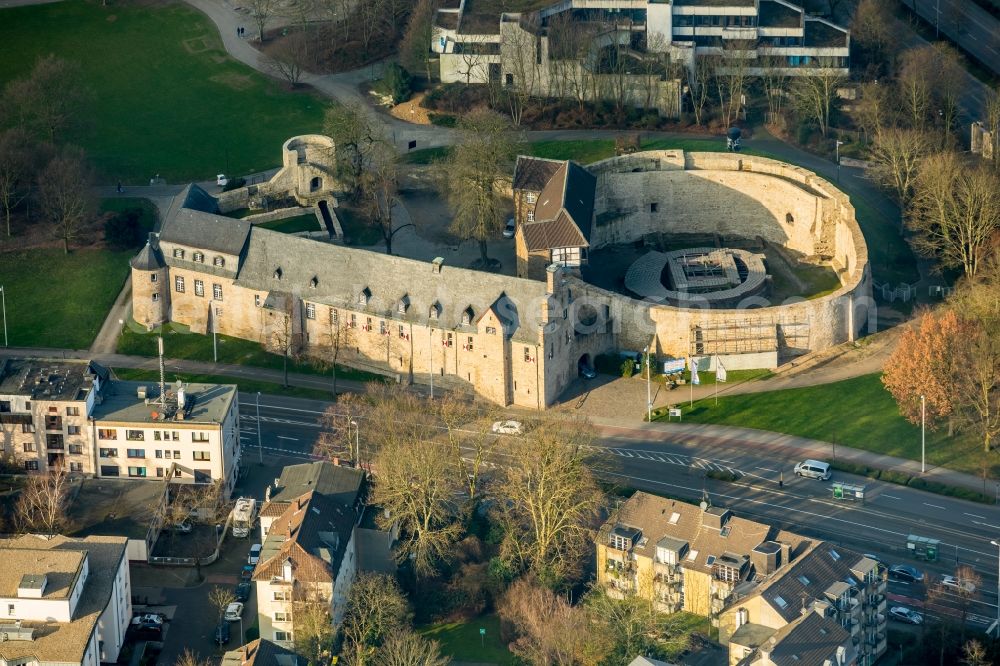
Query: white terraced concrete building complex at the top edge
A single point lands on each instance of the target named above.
(560, 48)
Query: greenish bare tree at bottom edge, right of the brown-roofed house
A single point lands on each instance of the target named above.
(375, 609)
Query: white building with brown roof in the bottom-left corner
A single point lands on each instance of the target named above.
(63, 601)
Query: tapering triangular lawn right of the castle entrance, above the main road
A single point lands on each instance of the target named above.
(857, 412)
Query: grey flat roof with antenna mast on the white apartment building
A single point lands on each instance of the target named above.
(204, 403)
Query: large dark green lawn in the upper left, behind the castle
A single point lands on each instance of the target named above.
(166, 98)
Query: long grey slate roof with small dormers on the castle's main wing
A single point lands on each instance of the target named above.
(343, 273)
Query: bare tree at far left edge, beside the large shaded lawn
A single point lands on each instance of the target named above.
(48, 101)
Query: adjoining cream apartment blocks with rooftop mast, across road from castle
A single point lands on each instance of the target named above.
(72, 415)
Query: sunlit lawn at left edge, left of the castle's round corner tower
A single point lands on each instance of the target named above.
(55, 299)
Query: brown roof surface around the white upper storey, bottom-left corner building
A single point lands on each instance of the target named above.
(66, 642)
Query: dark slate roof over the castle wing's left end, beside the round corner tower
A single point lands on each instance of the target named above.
(193, 220)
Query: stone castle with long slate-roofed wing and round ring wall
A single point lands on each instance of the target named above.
(521, 340)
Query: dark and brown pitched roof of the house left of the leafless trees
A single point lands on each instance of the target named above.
(313, 534)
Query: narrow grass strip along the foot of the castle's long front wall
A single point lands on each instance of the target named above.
(180, 342)
